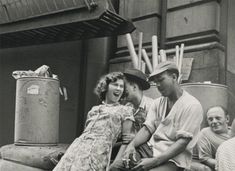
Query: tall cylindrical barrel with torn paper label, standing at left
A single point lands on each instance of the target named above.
(37, 111)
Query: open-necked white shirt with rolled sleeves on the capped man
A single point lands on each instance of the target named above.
(183, 120)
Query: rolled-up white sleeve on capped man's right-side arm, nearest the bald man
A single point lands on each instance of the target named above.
(190, 121)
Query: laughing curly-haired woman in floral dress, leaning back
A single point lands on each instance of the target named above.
(91, 151)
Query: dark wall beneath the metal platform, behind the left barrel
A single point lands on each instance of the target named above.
(78, 64)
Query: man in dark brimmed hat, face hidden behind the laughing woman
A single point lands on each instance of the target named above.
(135, 83)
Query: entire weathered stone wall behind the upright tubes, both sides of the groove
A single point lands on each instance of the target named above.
(196, 23)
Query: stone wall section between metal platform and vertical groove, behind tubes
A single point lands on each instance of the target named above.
(146, 17)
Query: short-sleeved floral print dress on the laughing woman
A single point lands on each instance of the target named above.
(91, 151)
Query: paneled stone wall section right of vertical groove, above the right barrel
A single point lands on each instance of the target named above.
(197, 24)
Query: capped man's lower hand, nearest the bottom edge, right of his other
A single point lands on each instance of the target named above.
(145, 164)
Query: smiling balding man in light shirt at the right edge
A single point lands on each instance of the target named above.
(211, 137)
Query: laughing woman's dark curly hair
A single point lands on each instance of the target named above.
(102, 85)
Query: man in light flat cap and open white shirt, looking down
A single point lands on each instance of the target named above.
(173, 122)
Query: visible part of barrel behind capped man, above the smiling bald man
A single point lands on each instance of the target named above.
(209, 95)
